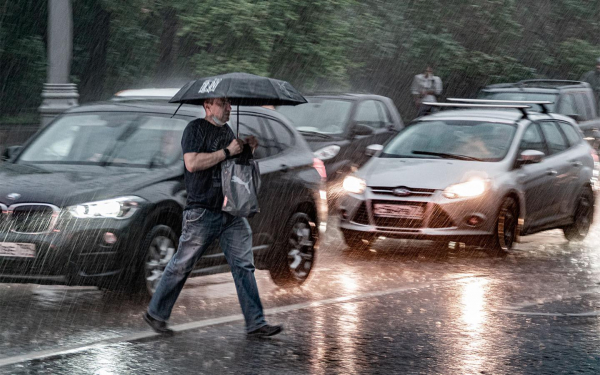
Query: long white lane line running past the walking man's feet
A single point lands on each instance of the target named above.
(37, 355)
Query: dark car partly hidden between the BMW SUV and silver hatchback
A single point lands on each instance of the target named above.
(339, 127)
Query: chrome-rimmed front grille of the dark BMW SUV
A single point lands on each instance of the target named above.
(28, 218)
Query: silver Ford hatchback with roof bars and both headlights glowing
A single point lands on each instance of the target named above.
(481, 177)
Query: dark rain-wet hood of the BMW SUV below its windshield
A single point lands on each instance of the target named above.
(64, 185)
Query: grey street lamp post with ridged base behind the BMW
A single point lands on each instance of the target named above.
(58, 94)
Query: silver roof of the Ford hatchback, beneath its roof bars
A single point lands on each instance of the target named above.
(505, 116)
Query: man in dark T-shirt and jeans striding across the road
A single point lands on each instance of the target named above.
(206, 143)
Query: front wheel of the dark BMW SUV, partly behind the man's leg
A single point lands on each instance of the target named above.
(159, 246)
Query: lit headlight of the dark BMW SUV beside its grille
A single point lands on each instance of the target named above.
(118, 208)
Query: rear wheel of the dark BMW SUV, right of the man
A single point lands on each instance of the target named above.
(295, 254)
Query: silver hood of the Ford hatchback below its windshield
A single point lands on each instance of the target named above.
(424, 173)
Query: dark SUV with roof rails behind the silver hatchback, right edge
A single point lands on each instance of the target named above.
(571, 98)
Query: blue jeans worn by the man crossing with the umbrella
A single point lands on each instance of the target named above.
(200, 229)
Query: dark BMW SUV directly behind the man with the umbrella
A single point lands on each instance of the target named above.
(96, 198)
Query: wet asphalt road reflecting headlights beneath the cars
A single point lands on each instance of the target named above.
(402, 307)
